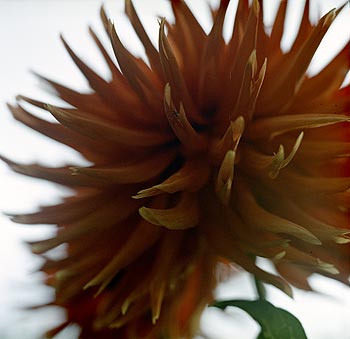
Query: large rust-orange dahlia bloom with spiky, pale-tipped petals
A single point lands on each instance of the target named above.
(211, 151)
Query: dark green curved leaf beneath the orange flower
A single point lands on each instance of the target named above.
(275, 322)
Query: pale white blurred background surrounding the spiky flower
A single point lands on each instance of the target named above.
(29, 38)
